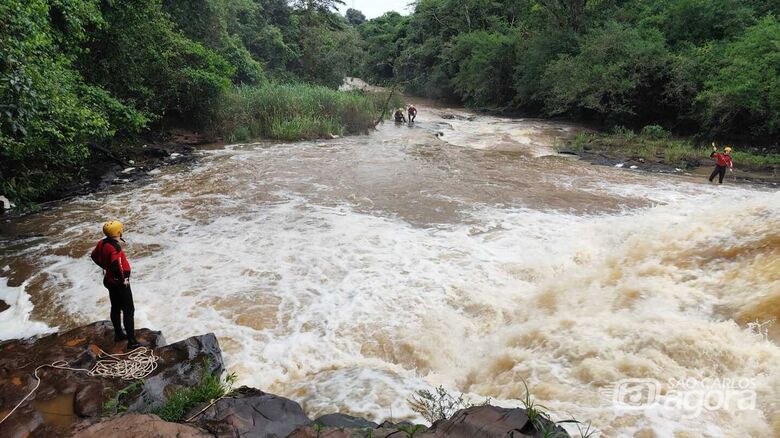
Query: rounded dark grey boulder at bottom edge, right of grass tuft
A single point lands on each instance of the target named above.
(251, 412)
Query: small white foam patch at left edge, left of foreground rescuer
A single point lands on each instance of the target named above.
(15, 321)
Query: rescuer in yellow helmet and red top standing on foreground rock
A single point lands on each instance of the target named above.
(108, 254)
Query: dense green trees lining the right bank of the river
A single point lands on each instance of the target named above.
(696, 66)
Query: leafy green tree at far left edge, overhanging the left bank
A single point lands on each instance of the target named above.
(48, 114)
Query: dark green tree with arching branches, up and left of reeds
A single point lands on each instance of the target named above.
(139, 57)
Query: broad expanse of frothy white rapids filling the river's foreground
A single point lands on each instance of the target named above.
(349, 310)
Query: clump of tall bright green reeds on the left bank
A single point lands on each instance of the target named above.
(294, 112)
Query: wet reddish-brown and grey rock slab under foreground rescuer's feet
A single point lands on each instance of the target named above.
(68, 397)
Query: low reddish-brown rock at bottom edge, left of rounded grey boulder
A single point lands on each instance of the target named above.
(138, 426)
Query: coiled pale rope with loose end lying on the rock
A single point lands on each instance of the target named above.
(138, 364)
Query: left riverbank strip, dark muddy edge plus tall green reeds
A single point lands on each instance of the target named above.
(272, 111)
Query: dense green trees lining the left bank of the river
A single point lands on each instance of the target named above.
(78, 75)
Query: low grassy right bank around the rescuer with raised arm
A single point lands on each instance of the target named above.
(654, 150)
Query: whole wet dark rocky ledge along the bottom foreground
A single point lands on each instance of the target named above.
(73, 403)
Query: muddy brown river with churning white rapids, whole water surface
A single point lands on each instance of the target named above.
(462, 251)
